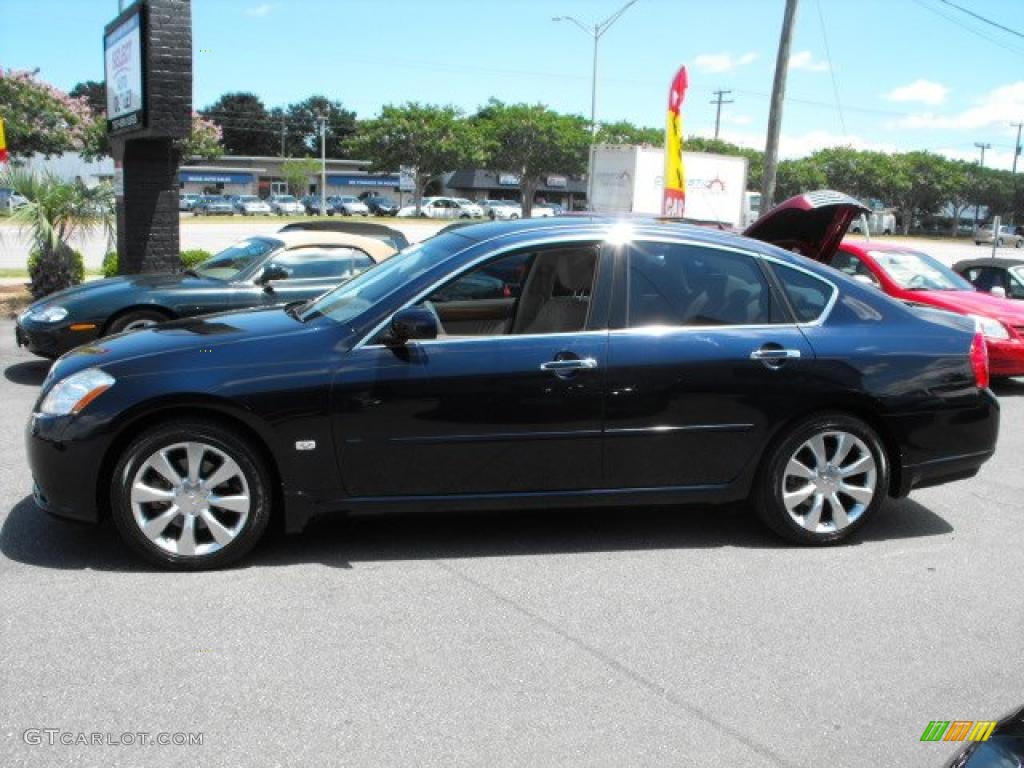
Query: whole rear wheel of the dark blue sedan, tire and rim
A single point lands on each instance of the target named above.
(826, 478)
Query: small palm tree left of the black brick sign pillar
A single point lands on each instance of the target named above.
(58, 211)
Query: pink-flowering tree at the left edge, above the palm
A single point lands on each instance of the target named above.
(40, 118)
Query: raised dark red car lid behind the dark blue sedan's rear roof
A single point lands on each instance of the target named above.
(813, 225)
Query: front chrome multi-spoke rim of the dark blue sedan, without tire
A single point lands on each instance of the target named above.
(191, 499)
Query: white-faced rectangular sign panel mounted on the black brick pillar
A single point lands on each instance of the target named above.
(123, 70)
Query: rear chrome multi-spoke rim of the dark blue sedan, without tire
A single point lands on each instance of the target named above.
(829, 482)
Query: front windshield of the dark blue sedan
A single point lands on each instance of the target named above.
(351, 300)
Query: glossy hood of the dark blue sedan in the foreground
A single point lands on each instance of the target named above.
(196, 339)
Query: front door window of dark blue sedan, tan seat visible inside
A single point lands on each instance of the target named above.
(538, 291)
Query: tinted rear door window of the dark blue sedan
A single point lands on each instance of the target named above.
(674, 284)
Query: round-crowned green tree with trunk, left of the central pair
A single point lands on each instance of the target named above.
(429, 139)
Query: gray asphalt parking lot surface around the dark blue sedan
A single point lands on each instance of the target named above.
(610, 638)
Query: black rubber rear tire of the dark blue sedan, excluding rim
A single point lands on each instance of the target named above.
(770, 486)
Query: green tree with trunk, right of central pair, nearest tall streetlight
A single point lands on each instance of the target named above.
(533, 142)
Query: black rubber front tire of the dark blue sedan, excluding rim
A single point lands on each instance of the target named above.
(220, 438)
